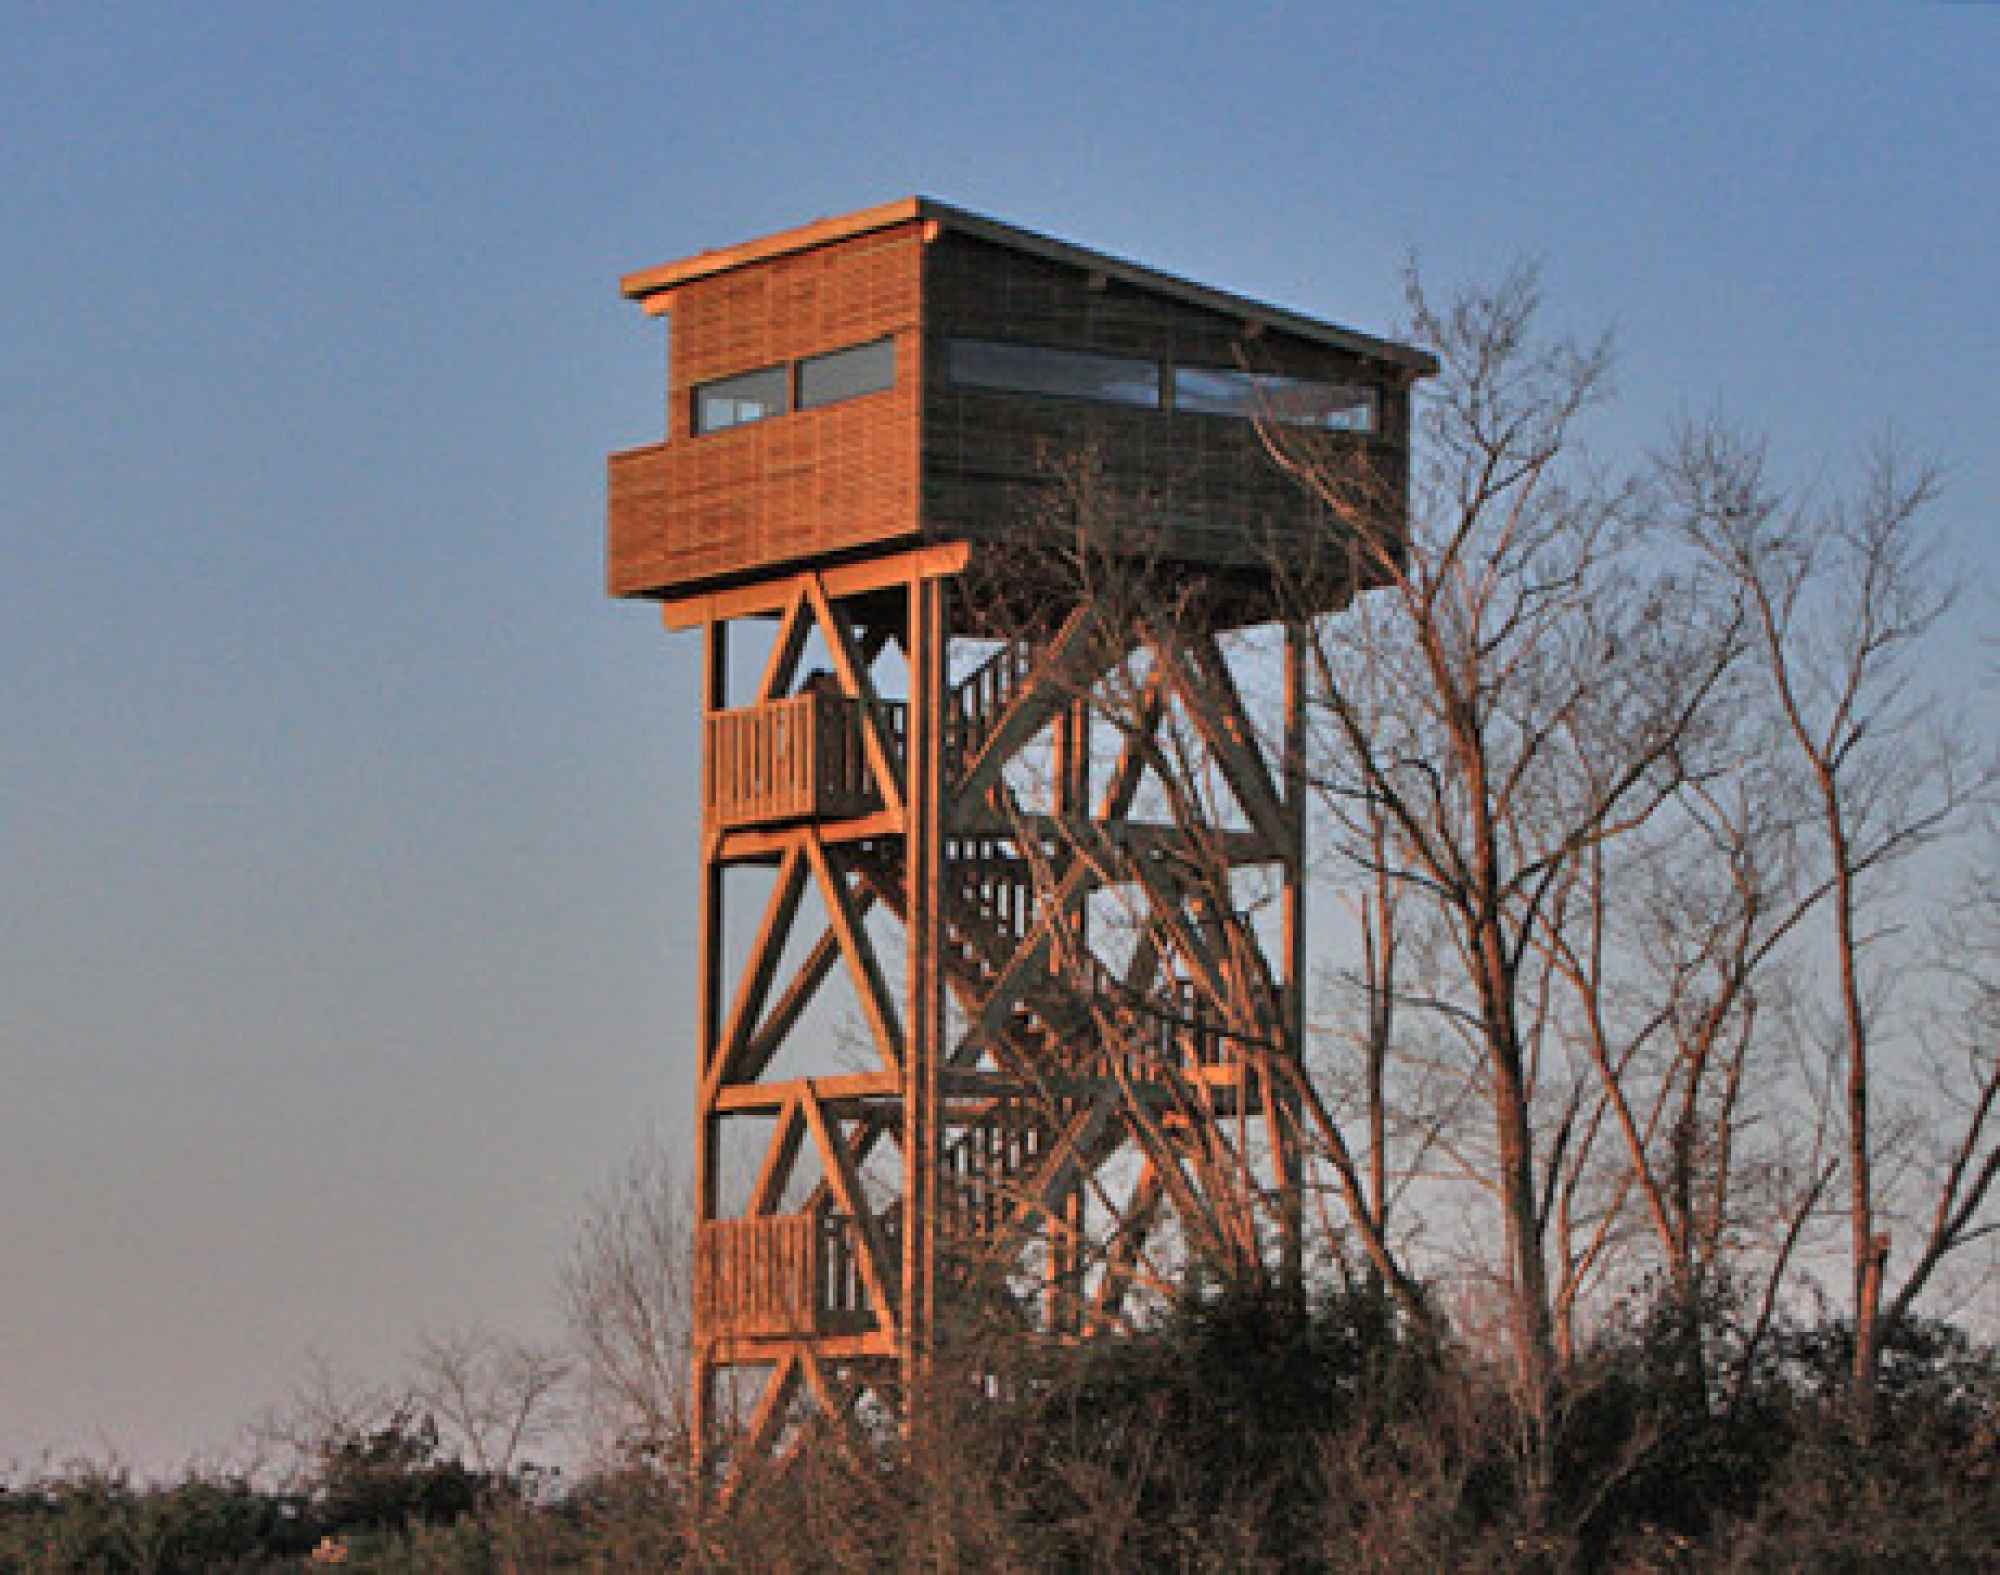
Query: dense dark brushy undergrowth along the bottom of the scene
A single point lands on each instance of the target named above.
(1241, 1432)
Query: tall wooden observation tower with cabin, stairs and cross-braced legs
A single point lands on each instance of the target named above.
(975, 525)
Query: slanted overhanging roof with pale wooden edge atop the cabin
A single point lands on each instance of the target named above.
(827, 231)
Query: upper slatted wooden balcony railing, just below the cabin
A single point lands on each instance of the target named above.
(799, 759)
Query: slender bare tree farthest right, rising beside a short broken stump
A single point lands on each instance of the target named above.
(1843, 603)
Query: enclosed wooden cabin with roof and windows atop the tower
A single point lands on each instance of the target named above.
(913, 375)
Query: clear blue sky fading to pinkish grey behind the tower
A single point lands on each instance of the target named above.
(345, 826)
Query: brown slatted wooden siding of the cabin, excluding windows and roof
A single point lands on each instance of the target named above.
(927, 461)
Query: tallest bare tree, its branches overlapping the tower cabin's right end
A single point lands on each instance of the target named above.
(1525, 687)
